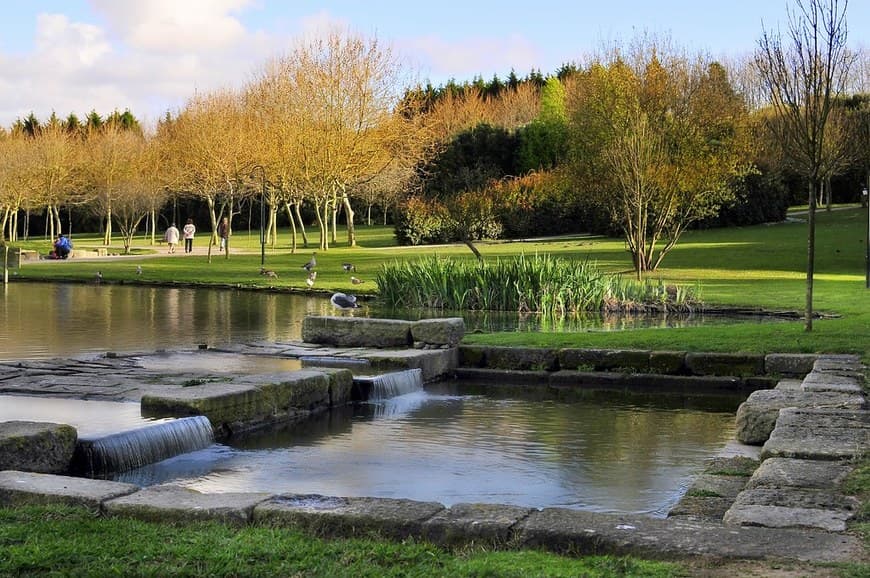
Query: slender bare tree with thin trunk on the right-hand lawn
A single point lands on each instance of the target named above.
(803, 75)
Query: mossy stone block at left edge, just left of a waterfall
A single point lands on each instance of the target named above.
(36, 447)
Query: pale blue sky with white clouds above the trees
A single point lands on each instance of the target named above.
(150, 56)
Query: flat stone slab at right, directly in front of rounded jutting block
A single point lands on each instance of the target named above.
(819, 434)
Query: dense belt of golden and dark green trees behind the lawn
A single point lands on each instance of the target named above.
(643, 140)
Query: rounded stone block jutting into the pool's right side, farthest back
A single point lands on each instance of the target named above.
(757, 416)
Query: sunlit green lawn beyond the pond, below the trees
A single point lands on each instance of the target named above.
(761, 267)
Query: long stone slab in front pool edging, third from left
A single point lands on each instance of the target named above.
(331, 516)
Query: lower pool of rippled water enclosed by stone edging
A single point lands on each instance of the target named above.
(613, 453)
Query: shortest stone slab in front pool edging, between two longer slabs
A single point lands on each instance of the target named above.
(492, 524)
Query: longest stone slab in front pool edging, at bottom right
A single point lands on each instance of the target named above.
(674, 538)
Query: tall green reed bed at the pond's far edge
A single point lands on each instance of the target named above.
(541, 284)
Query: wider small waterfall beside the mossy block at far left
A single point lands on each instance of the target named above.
(129, 450)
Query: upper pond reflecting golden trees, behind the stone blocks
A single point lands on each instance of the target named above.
(44, 320)
